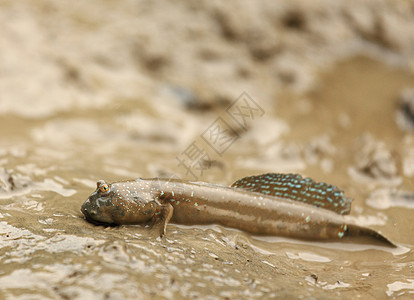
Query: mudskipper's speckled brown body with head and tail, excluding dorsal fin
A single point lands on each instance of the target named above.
(159, 201)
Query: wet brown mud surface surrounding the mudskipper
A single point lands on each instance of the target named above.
(123, 89)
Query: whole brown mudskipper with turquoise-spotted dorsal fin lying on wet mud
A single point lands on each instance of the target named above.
(274, 204)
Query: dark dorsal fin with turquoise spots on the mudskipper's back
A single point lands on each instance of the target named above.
(295, 187)
